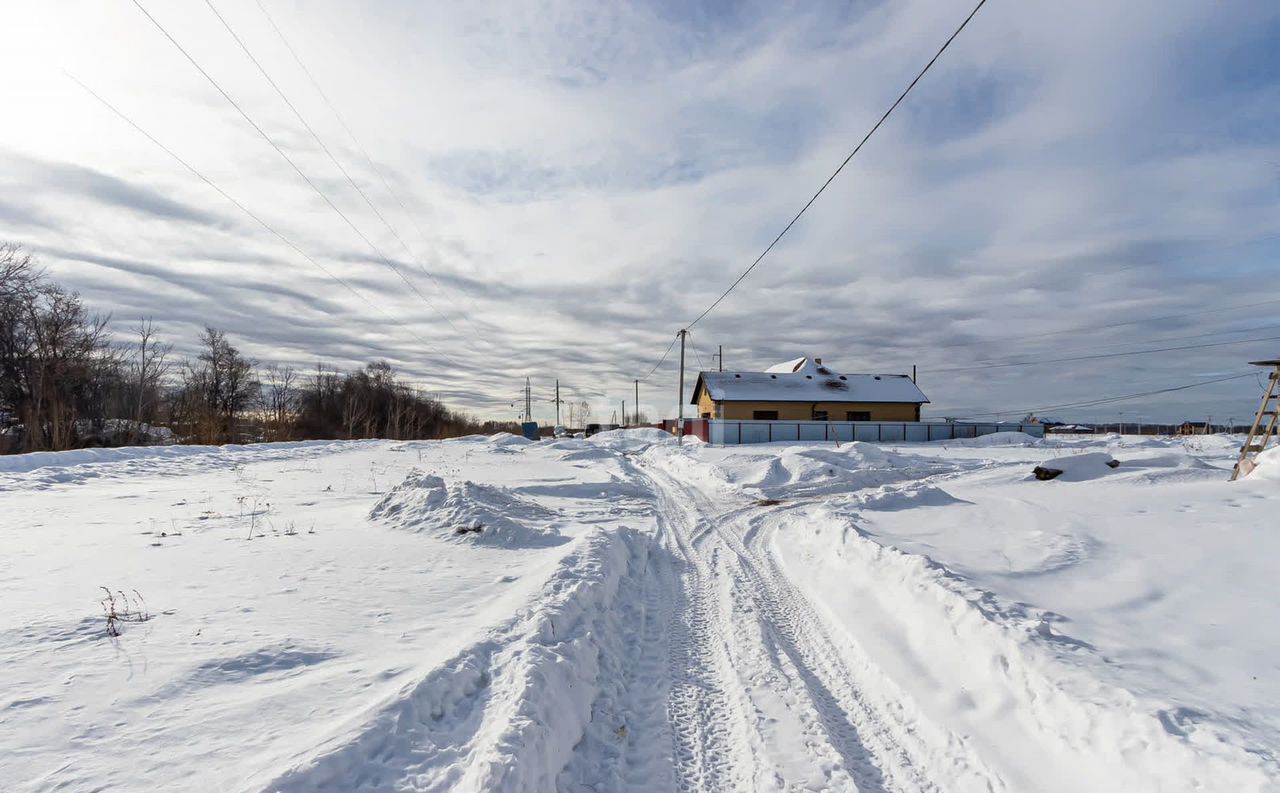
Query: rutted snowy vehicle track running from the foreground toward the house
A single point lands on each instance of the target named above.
(764, 698)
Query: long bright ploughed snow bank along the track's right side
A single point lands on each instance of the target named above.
(1005, 673)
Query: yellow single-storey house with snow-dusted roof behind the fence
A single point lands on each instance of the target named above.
(807, 391)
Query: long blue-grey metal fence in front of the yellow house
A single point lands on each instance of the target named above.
(733, 433)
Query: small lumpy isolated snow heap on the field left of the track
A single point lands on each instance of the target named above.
(468, 512)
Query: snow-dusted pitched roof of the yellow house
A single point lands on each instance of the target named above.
(807, 381)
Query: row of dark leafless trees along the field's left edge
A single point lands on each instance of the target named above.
(66, 384)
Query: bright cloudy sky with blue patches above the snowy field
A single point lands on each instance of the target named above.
(556, 189)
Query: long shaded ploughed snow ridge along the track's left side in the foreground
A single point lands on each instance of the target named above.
(506, 714)
